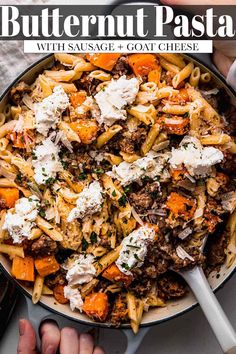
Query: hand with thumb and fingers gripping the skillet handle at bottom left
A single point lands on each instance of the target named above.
(67, 340)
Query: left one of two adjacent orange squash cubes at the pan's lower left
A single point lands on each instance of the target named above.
(23, 268)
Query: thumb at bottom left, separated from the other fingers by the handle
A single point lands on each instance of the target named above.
(27, 340)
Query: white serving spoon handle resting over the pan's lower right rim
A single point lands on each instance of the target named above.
(212, 309)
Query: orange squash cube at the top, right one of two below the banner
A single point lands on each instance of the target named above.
(142, 64)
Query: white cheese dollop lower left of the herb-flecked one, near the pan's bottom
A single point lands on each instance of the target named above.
(80, 269)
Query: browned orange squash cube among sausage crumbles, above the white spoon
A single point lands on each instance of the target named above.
(181, 206)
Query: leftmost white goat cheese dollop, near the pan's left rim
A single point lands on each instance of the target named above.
(20, 220)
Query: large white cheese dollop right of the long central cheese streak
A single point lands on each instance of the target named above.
(197, 159)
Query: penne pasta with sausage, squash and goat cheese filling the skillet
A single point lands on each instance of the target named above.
(113, 169)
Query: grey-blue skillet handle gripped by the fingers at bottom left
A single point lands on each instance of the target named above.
(38, 314)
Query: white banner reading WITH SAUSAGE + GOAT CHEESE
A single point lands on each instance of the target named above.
(118, 46)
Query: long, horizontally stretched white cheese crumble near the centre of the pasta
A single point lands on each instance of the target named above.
(151, 166)
